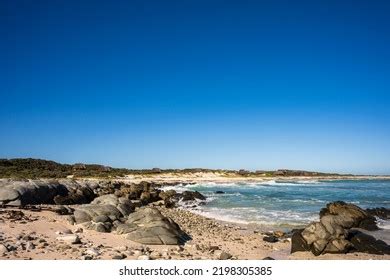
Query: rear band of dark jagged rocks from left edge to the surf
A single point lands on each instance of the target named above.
(69, 192)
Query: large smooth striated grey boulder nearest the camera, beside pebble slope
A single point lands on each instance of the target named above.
(149, 226)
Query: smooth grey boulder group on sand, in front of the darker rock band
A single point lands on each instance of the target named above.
(146, 225)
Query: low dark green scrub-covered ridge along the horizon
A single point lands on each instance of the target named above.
(29, 168)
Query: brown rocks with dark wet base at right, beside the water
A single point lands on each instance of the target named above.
(338, 232)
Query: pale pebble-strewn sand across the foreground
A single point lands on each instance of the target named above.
(237, 240)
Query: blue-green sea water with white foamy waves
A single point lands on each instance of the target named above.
(286, 204)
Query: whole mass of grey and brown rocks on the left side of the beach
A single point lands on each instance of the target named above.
(106, 206)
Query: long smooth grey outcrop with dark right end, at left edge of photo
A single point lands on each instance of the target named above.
(25, 192)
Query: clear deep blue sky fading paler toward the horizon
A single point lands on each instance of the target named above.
(196, 83)
